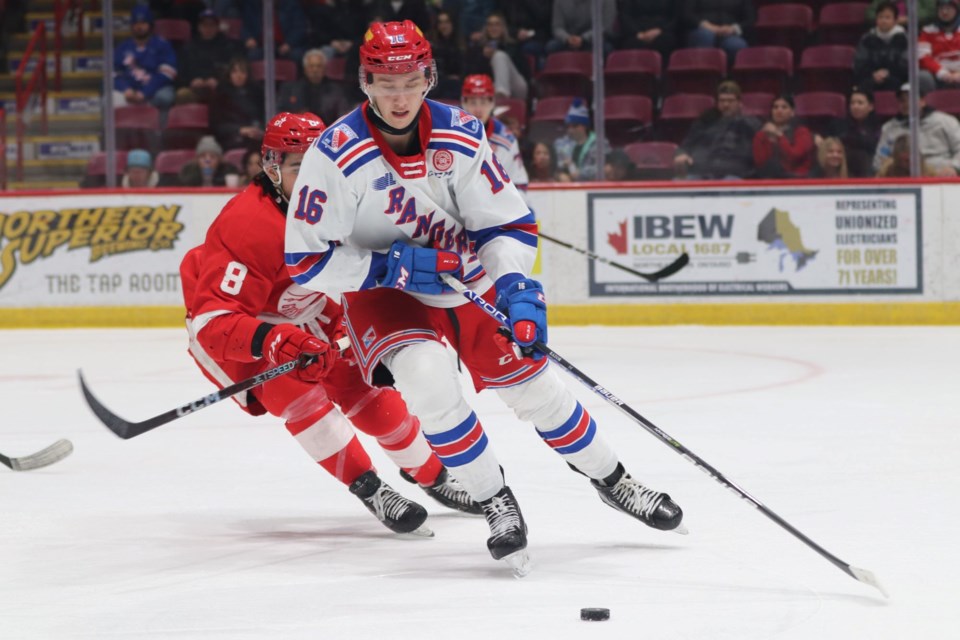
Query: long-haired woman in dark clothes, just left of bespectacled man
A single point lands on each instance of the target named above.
(238, 108)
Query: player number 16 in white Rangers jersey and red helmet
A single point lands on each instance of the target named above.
(391, 196)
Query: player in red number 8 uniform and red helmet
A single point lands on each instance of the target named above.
(245, 315)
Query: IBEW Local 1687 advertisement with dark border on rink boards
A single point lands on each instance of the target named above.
(770, 242)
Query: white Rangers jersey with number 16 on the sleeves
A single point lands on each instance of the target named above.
(354, 197)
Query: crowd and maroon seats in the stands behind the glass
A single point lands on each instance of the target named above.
(695, 89)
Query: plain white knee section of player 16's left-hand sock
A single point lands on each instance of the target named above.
(426, 378)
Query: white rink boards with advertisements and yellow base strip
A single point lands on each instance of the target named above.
(760, 253)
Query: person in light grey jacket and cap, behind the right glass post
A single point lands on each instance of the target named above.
(939, 135)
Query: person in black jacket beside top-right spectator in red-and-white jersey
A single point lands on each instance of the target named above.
(880, 63)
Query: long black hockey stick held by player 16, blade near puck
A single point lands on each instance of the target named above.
(863, 575)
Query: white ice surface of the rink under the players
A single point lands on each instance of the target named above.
(218, 525)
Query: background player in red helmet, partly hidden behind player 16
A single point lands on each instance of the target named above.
(478, 98)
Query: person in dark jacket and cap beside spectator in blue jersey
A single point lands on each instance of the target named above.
(204, 60)
